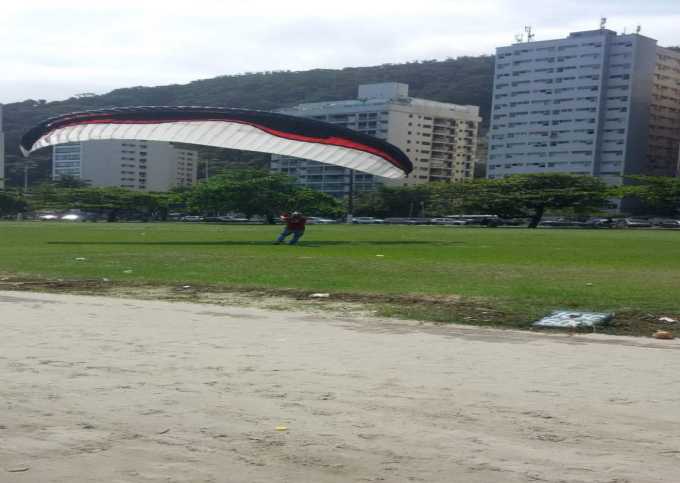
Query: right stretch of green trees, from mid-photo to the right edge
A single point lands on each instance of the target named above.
(524, 196)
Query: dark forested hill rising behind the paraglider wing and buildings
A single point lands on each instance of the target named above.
(465, 80)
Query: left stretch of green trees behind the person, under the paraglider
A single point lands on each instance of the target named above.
(249, 192)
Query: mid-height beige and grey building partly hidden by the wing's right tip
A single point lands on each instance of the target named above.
(439, 138)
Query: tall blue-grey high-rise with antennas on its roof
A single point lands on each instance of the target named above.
(578, 105)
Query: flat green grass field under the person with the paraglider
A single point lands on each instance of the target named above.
(521, 273)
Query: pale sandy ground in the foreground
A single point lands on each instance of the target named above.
(97, 389)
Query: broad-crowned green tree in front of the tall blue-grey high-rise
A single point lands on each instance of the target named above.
(532, 194)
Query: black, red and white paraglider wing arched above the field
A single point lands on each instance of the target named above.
(226, 128)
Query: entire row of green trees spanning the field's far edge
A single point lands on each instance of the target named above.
(265, 194)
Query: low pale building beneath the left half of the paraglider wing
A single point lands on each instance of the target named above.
(138, 165)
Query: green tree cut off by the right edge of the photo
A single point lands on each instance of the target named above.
(658, 194)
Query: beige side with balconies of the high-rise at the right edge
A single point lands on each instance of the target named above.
(664, 121)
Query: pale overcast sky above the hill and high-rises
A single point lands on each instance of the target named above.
(55, 49)
